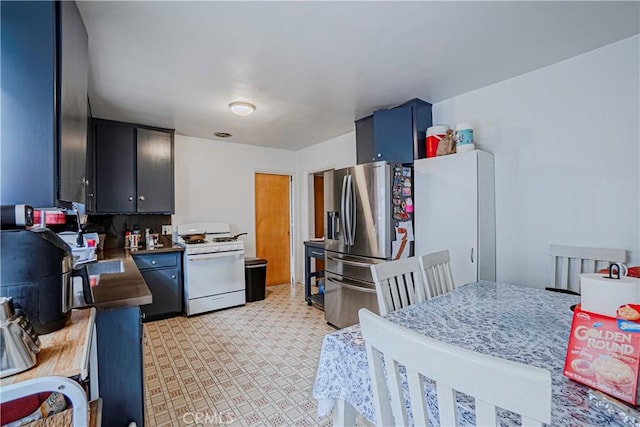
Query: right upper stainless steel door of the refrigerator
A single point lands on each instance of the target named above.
(369, 209)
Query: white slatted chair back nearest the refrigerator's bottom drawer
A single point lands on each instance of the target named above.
(398, 284)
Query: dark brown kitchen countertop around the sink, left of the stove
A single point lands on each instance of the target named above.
(126, 289)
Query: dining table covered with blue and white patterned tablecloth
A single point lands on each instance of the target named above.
(522, 324)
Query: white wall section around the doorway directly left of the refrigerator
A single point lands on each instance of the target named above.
(336, 153)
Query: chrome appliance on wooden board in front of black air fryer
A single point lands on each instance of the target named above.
(19, 342)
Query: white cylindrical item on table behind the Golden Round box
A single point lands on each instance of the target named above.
(602, 295)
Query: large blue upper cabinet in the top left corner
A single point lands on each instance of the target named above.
(44, 103)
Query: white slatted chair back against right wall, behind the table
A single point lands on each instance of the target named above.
(568, 262)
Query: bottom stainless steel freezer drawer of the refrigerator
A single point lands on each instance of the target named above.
(344, 298)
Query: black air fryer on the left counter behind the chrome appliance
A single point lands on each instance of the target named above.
(37, 270)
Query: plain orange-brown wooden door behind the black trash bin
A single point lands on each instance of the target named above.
(273, 226)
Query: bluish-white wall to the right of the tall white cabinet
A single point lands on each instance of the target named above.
(566, 145)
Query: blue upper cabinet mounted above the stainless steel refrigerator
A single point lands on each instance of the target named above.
(396, 135)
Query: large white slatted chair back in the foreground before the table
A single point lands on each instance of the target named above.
(493, 382)
